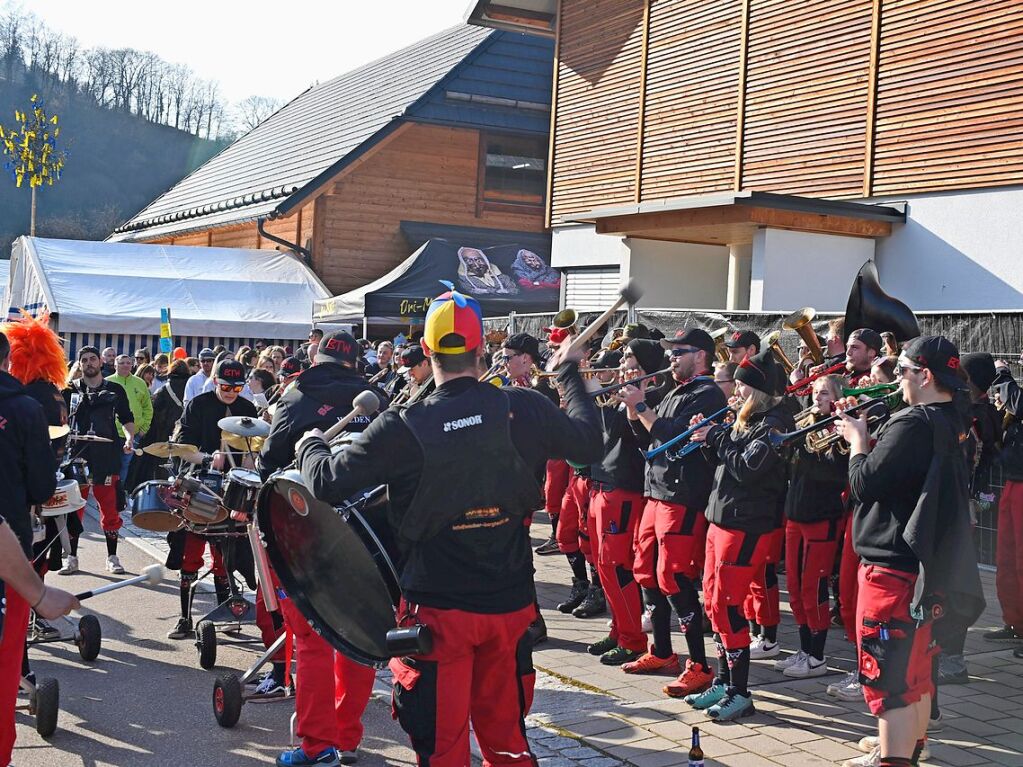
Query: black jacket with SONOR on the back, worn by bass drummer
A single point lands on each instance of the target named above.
(480, 577)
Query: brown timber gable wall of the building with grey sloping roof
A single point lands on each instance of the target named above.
(420, 173)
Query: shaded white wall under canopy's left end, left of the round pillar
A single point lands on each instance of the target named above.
(678, 276)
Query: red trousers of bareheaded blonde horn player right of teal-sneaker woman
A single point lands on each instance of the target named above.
(811, 551)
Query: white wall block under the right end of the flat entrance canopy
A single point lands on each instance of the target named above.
(796, 269)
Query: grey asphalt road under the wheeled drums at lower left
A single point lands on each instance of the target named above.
(147, 702)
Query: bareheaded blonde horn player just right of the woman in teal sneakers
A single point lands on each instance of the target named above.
(814, 509)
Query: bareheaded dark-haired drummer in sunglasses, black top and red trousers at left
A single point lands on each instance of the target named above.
(97, 405)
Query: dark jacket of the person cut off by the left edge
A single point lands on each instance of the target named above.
(28, 467)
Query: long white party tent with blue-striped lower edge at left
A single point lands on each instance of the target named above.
(111, 294)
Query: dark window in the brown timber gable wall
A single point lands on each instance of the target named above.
(514, 170)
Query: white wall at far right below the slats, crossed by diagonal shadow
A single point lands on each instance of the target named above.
(957, 251)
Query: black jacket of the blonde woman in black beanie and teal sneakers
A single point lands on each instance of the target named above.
(750, 482)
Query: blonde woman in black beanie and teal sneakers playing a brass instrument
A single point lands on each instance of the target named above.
(745, 501)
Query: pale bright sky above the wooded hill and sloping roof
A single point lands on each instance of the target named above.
(262, 49)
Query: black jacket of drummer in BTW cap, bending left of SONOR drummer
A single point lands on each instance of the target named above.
(321, 397)
